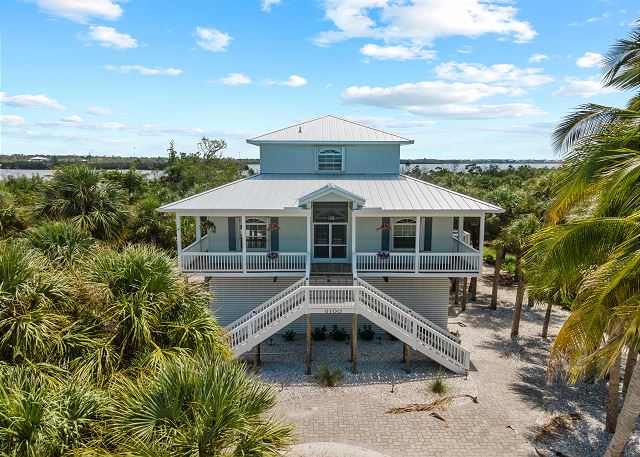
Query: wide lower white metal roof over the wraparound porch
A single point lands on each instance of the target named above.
(386, 192)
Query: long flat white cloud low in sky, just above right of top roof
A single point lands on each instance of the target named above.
(441, 99)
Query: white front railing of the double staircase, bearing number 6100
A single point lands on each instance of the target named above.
(362, 298)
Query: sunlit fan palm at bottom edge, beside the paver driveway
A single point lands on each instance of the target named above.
(204, 406)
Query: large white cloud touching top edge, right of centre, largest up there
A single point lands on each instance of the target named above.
(421, 22)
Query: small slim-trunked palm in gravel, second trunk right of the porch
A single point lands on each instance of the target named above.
(516, 238)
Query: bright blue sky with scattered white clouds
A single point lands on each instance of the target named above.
(464, 78)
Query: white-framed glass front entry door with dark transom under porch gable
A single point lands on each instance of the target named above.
(330, 231)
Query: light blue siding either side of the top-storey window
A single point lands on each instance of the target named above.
(301, 158)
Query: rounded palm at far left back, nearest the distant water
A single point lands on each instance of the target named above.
(77, 193)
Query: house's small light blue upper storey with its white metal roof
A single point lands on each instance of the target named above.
(329, 145)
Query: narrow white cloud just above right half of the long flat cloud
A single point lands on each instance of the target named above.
(502, 73)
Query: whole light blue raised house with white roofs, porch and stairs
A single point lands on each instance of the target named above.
(330, 228)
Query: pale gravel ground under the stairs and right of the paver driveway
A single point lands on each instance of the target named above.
(486, 333)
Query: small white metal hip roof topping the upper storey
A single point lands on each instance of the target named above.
(329, 130)
